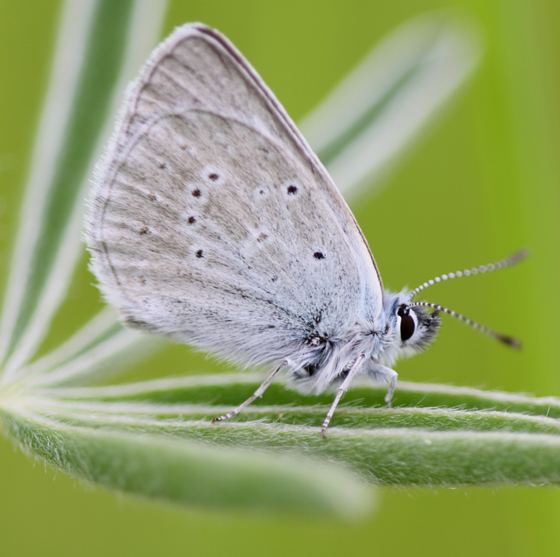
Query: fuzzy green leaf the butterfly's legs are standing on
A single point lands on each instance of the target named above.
(434, 435)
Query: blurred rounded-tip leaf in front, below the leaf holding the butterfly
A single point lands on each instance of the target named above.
(189, 472)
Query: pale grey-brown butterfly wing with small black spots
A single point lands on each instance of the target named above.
(212, 221)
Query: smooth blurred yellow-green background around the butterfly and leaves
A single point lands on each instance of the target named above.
(480, 182)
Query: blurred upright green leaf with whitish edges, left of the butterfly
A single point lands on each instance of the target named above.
(100, 42)
